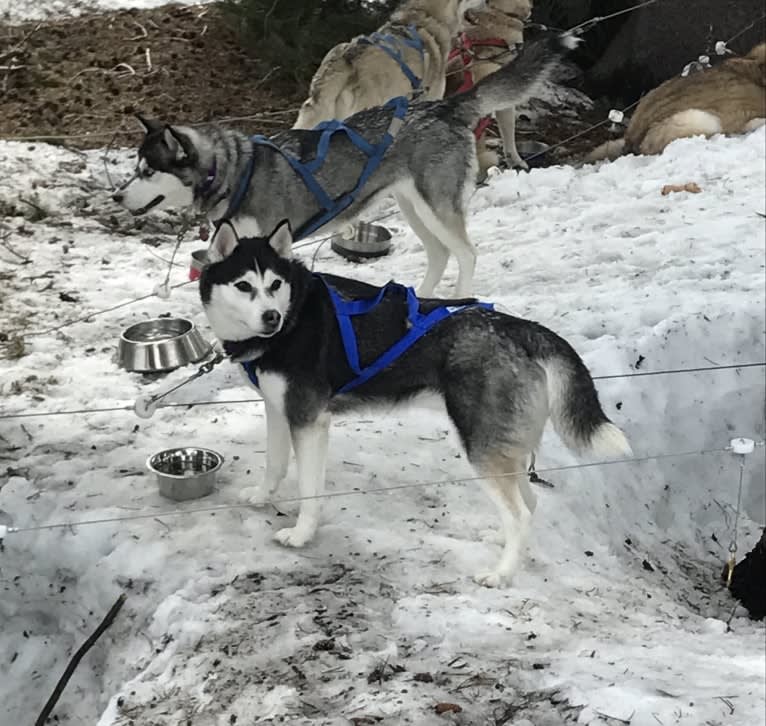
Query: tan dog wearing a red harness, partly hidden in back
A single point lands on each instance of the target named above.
(500, 20)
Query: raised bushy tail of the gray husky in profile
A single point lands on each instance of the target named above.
(516, 81)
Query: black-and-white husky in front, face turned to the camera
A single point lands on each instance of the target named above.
(500, 377)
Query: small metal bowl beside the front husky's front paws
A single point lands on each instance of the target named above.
(185, 473)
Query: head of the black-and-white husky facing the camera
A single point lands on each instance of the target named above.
(246, 290)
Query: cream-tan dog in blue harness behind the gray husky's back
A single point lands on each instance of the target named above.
(357, 75)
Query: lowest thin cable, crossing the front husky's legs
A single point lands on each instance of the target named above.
(357, 492)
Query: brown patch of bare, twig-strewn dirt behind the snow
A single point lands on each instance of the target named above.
(86, 76)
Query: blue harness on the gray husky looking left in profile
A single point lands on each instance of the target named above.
(331, 208)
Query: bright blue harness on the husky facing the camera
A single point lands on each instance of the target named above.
(418, 325)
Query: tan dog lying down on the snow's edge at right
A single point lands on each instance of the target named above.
(727, 99)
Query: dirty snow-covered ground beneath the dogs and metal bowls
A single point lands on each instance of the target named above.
(618, 616)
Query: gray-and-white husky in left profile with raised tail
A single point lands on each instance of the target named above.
(430, 167)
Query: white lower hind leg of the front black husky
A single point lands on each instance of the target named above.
(515, 502)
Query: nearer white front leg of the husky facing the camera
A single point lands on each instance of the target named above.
(310, 444)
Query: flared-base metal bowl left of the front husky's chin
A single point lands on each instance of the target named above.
(161, 344)
